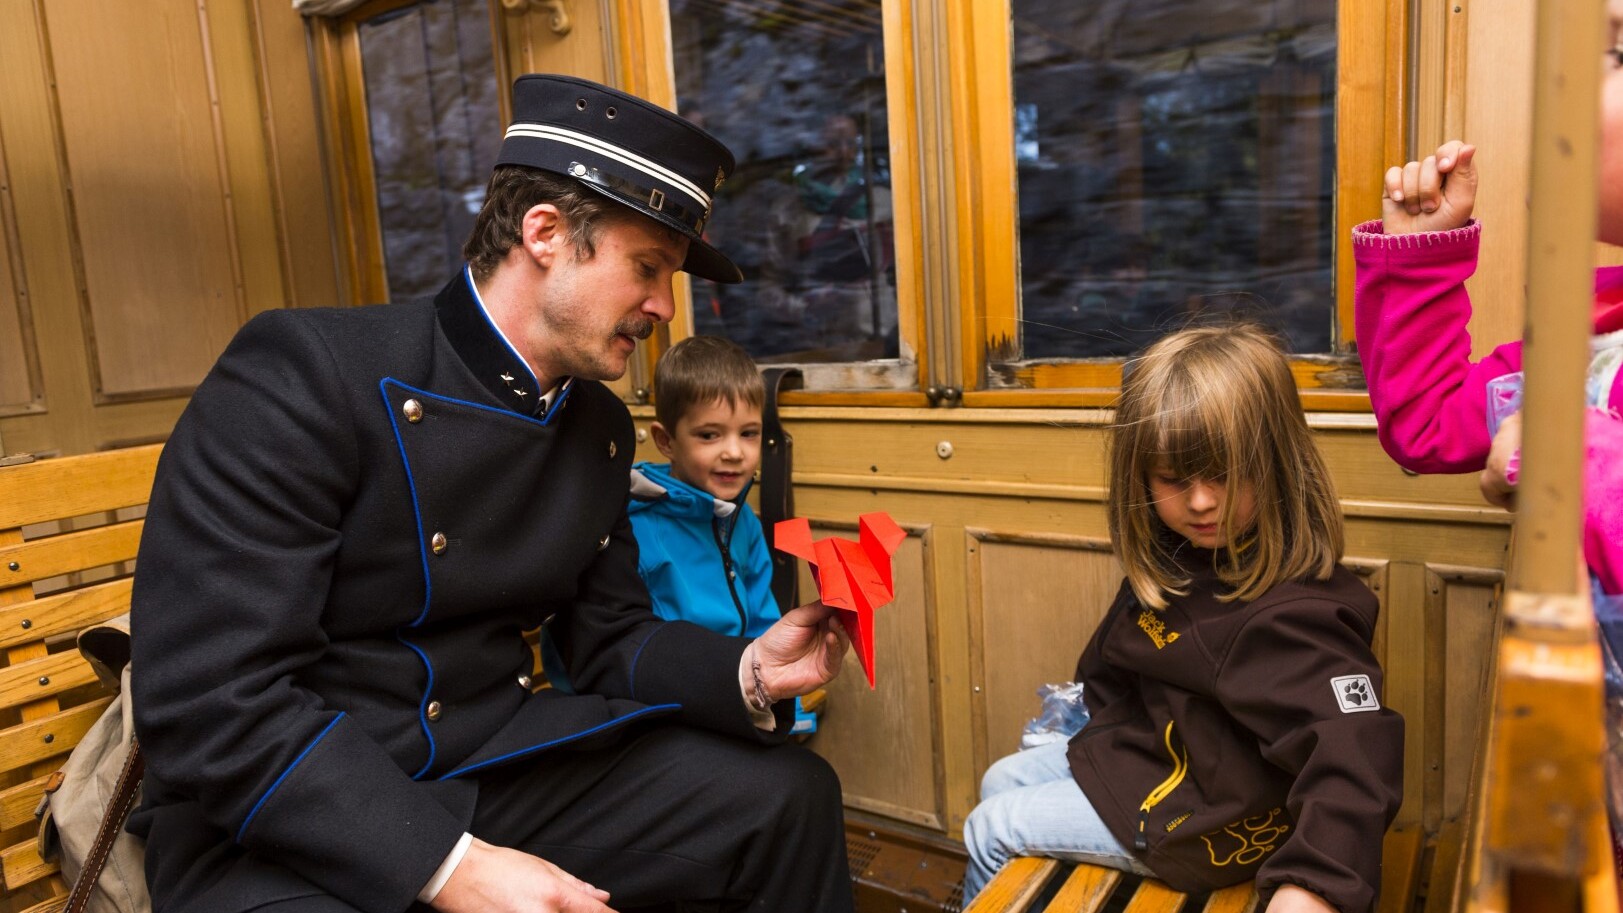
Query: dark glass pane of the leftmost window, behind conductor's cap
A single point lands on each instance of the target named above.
(436, 131)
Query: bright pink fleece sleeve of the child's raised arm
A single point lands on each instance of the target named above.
(1411, 314)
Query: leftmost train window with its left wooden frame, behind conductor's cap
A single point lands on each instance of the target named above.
(415, 124)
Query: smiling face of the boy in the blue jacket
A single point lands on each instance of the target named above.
(715, 447)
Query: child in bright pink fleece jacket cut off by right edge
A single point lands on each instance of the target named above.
(1411, 309)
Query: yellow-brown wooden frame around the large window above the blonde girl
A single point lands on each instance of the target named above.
(1371, 131)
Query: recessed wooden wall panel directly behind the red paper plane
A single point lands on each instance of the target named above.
(882, 742)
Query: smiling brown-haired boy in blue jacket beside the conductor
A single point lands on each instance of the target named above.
(702, 549)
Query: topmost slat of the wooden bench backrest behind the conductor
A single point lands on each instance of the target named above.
(56, 489)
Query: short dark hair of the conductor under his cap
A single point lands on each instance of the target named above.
(514, 191)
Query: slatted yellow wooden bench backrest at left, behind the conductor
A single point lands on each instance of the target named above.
(69, 533)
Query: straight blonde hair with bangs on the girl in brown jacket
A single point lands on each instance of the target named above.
(1220, 403)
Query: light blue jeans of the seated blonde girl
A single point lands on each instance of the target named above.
(1031, 807)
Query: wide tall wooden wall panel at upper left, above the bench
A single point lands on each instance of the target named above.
(139, 118)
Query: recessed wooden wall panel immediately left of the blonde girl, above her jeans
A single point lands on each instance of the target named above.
(1036, 602)
